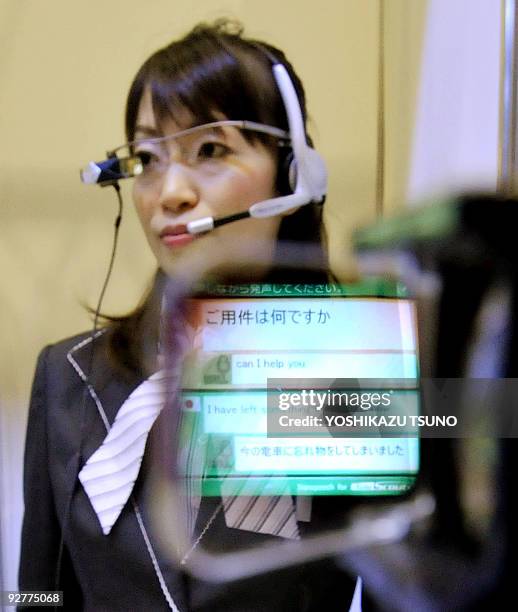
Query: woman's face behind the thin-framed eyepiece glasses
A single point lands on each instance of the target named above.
(208, 174)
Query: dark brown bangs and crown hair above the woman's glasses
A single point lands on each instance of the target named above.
(213, 71)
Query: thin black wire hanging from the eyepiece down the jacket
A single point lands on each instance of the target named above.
(66, 516)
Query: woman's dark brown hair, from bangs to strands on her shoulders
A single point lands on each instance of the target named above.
(211, 72)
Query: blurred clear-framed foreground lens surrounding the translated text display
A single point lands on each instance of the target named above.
(195, 459)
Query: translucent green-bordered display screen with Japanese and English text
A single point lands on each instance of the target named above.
(246, 337)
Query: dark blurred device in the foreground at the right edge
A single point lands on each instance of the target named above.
(458, 258)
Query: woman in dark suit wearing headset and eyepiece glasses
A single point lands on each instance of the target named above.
(213, 74)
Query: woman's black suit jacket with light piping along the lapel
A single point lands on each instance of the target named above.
(115, 572)
